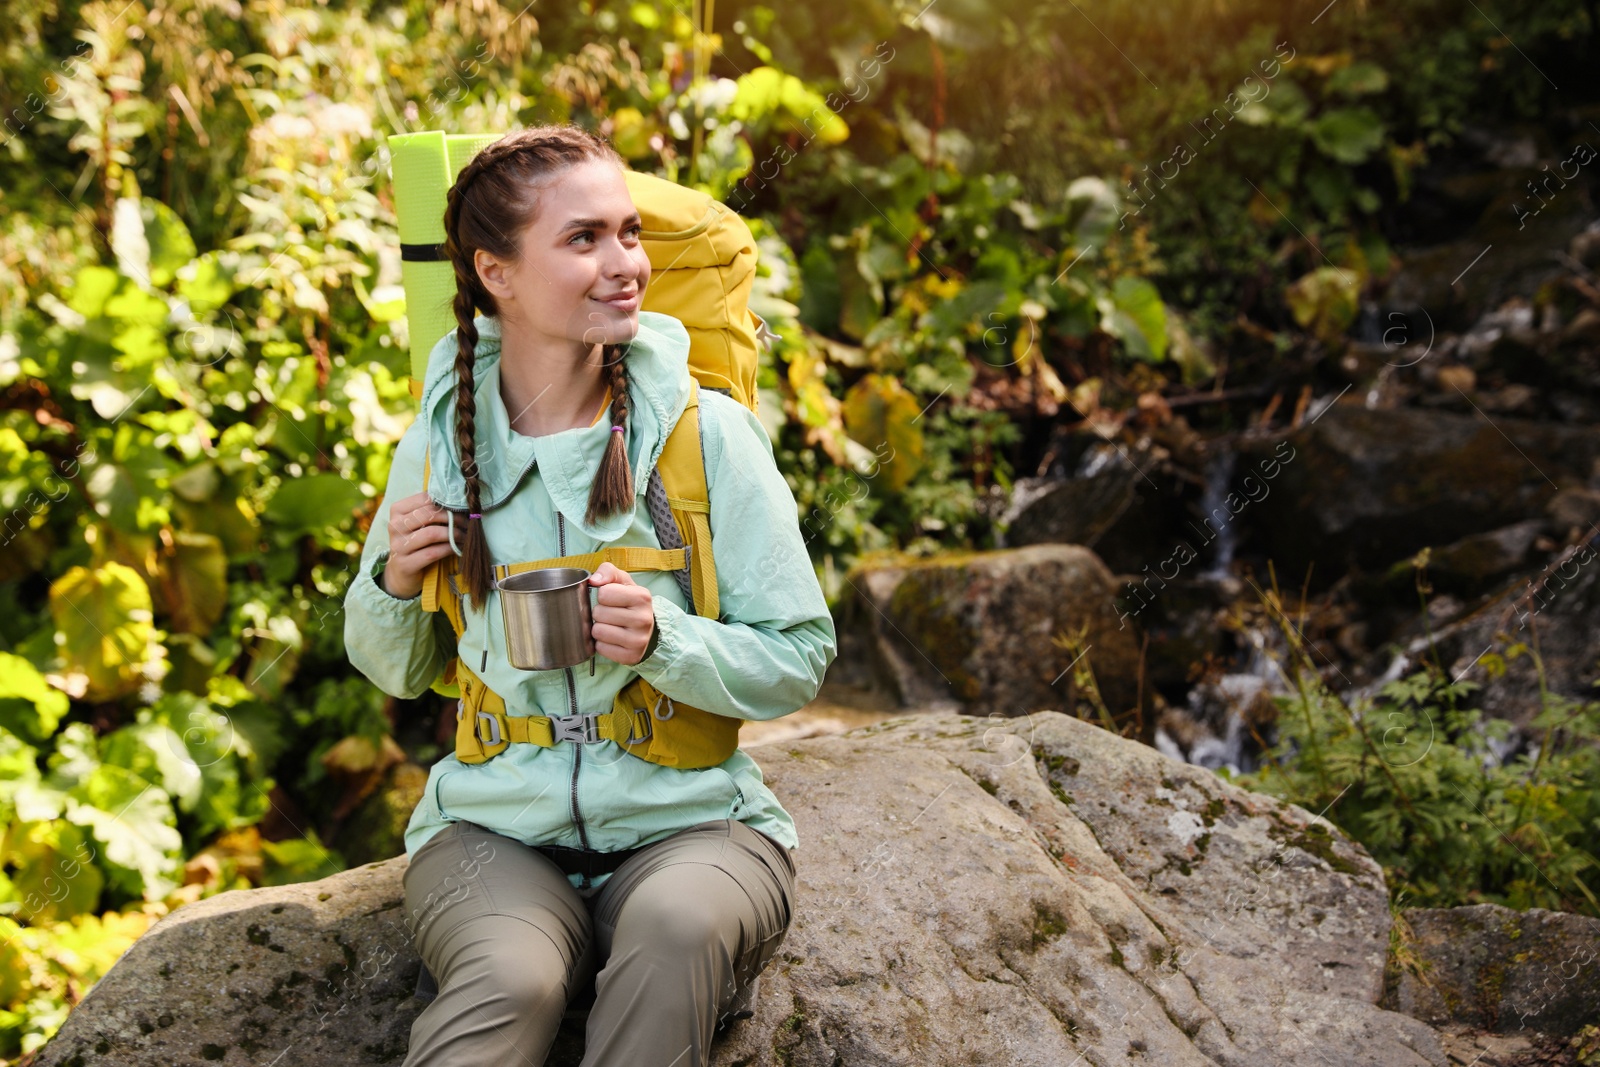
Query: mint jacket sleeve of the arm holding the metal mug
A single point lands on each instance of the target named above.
(769, 653)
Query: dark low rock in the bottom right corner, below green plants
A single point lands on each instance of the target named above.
(1502, 970)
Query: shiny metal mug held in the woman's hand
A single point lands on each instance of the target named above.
(548, 618)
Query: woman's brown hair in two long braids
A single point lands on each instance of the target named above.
(489, 207)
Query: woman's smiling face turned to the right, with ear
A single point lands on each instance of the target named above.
(583, 273)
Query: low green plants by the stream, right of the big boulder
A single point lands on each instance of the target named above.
(1410, 775)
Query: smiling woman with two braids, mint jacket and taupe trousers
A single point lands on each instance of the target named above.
(543, 868)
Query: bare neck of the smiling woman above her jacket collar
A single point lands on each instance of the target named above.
(550, 385)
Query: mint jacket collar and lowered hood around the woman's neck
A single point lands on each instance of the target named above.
(658, 390)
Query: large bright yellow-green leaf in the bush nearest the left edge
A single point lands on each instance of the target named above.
(105, 628)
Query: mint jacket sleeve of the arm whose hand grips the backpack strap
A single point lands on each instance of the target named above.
(388, 639)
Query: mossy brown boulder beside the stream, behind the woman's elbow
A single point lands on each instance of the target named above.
(990, 633)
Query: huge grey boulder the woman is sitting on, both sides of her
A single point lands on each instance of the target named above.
(1023, 890)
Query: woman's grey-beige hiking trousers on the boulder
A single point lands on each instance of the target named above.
(670, 941)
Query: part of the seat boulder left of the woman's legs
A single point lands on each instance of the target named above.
(313, 973)
